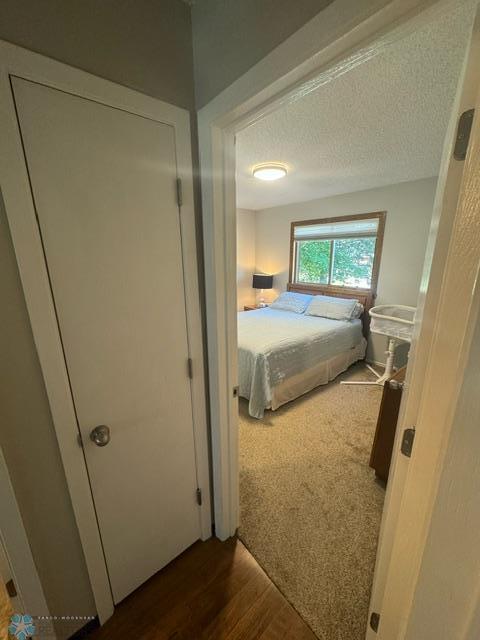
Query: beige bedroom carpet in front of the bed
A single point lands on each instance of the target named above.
(310, 505)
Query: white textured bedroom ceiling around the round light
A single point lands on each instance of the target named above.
(381, 123)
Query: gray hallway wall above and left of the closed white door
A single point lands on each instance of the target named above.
(143, 44)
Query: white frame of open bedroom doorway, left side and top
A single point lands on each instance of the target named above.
(344, 37)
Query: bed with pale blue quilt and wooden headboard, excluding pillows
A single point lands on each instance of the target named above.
(282, 355)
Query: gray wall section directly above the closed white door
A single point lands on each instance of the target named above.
(143, 44)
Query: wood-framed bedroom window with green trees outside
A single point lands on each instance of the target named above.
(337, 252)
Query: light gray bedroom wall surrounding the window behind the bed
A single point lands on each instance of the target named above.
(409, 207)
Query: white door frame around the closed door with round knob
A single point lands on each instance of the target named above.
(20, 211)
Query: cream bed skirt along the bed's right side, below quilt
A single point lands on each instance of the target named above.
(321, 373)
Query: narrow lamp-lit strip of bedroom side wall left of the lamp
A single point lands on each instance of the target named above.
(245, 257)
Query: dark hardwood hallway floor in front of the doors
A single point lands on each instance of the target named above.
(213, 590)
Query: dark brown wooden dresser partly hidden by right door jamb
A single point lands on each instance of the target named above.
(382, 448)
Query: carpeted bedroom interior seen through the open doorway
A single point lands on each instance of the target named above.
(347, 220)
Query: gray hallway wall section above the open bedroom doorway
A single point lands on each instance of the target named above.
(230, 36)
